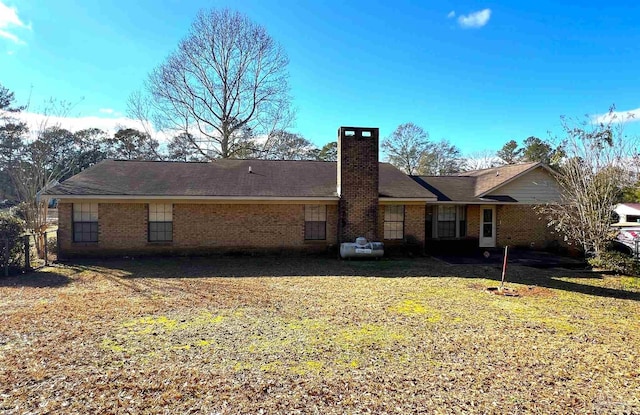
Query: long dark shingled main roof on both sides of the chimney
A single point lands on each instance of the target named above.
(225, 178)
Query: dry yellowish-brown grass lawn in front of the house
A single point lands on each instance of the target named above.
(221, 335)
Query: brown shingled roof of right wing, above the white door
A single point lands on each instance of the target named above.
(474, 186)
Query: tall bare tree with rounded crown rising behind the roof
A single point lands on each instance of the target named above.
(227, 75)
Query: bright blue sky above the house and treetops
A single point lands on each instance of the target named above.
(489, 72)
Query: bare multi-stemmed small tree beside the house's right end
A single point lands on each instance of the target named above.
(599, 161)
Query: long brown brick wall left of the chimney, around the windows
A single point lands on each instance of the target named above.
(197, 228)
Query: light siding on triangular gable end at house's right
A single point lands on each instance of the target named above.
(537, 186)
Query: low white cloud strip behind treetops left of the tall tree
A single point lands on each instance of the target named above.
(36, 121)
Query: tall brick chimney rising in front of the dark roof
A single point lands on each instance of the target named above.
(358, 183)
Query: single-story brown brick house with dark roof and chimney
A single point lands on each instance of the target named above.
(136, 207)
